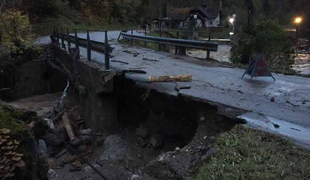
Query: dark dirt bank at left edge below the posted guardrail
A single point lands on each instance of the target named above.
(25, 77)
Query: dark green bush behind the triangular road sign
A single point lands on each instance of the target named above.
(267, 37)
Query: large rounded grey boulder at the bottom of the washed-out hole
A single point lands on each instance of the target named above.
(115, 148)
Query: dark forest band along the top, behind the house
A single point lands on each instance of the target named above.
(132, 12)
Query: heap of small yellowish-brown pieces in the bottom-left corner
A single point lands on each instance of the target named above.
(9, 157)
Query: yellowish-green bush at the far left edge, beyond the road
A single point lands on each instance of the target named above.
(16, 31)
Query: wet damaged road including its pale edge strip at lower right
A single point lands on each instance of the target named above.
(282, 107)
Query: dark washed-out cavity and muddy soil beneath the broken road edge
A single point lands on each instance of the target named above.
(159, 137)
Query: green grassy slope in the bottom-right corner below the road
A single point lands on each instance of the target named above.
(245, 153)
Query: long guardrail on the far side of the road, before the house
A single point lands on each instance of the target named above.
(180, 44)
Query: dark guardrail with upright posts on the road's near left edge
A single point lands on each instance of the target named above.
(90, 45)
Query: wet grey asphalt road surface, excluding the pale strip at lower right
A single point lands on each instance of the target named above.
(222, 86)
